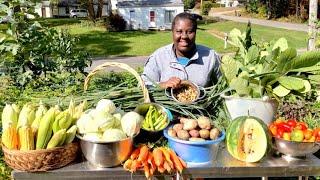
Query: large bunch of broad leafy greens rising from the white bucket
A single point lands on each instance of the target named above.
(273, 69)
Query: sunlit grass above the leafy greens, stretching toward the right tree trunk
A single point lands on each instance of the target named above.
(296, 39)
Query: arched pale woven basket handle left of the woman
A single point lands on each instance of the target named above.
(122, 66)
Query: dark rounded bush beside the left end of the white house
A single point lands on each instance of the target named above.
(115, 22)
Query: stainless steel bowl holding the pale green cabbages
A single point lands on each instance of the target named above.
(106, 154)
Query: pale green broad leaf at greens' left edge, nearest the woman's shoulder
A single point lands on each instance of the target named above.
(229, 68)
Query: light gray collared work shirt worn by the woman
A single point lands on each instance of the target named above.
(202, 68)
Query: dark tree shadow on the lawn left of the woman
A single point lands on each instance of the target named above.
(99, 43)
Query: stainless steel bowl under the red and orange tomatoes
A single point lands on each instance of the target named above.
(296, 149)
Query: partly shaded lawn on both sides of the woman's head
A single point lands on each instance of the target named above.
(99, 42)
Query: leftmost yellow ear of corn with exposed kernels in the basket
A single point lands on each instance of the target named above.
(10, 137)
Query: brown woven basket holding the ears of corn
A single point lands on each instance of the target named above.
(41, 160)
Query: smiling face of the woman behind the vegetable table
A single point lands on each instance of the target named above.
(184, 36)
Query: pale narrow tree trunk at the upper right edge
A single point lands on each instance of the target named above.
(313, 12)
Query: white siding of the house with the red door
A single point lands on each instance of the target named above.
(141, 19)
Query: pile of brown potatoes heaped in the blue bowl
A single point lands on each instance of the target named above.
(199, 129)
